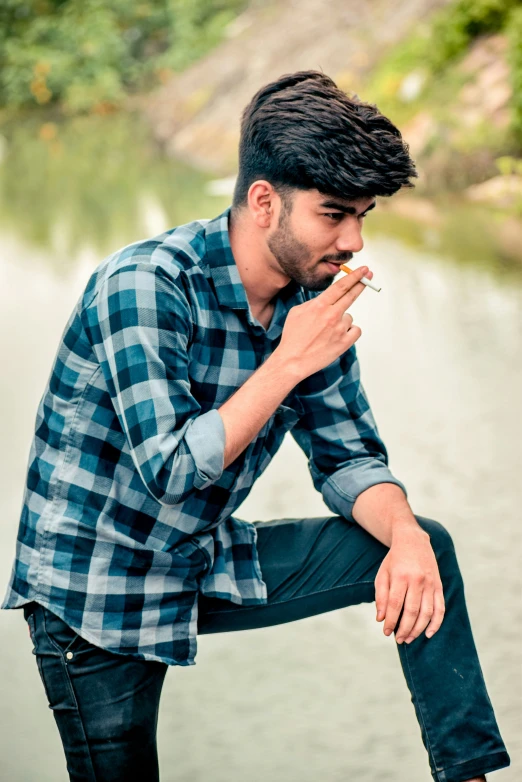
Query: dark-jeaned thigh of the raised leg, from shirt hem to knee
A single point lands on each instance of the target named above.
(310, 566)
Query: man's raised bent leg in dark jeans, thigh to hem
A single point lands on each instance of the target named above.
(315, 565)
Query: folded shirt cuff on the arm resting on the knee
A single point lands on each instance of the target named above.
(342, 488)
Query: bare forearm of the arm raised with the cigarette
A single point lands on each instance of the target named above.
(250, 407)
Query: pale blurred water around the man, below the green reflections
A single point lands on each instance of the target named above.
(323, 698)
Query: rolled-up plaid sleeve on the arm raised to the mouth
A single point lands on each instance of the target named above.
(139, 323)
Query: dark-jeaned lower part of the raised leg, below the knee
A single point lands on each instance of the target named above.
(445, 679)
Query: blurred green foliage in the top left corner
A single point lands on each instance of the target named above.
(87, 55)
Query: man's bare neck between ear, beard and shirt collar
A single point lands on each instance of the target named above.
(258, 269)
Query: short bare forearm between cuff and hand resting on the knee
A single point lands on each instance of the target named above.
(384, 512)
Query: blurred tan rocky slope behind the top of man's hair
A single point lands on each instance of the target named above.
(196, 115)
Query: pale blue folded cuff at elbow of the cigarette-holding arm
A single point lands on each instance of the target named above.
(205, 439)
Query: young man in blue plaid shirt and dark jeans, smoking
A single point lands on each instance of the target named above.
(184, 363)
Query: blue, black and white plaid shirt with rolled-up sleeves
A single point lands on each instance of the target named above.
(127, 511)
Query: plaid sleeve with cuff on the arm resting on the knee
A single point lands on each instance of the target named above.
(339, 436)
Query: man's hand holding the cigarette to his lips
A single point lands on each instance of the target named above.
(320, 330)
